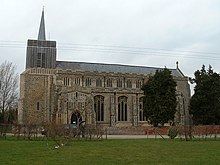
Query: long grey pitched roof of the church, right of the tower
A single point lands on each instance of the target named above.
(116, 68)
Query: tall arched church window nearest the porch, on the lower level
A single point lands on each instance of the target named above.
(99, 107)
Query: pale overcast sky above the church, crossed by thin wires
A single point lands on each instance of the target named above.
(154, 33)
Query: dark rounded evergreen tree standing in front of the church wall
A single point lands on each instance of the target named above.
(160, 97)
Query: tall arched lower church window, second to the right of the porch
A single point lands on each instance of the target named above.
(122, 108)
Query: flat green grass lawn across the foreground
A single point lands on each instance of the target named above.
(137, 151)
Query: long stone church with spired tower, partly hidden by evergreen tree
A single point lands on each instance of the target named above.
(68, 92)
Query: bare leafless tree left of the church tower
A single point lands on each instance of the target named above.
(8, 88)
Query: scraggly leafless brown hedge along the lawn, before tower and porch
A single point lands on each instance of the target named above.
(51, 131)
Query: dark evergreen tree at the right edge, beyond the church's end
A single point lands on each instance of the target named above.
(205, 103)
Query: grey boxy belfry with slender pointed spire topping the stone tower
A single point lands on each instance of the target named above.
(41, 53)
